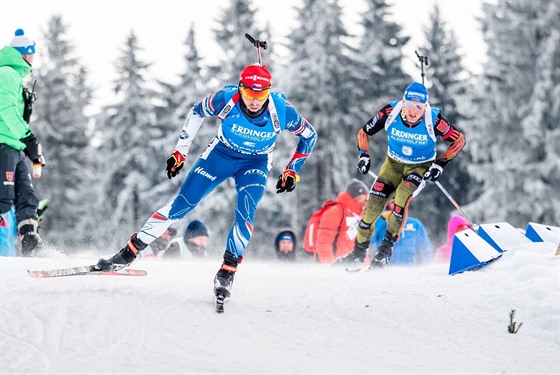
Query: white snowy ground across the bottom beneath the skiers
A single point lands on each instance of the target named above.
(283, 319)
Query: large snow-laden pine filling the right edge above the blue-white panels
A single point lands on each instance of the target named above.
(515, 140)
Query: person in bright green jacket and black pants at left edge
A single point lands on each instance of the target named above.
(17, 141)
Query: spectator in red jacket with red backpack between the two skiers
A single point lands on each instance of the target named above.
(338, 224)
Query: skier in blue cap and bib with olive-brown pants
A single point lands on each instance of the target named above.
(413, 129)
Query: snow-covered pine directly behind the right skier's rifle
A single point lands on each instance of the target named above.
(447, 81)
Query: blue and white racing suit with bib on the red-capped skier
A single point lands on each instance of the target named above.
(242, 149)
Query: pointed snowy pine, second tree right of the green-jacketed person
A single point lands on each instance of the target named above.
(129, 156)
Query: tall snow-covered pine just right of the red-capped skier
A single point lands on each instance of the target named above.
(325, 83)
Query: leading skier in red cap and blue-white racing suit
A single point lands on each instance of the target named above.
(251, 116)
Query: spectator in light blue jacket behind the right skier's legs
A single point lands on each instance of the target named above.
(413, 246)
